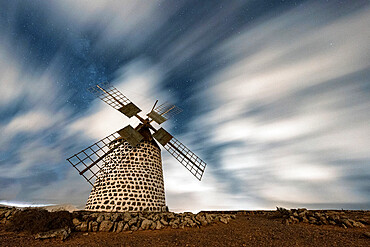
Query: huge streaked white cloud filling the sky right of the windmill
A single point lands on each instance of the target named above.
(288, 95)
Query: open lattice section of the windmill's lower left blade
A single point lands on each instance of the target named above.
(87, 162)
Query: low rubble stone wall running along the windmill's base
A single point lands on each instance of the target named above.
(86, 221)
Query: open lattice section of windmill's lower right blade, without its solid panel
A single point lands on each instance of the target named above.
(186, 157)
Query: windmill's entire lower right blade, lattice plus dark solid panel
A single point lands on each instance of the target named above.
(183, 154)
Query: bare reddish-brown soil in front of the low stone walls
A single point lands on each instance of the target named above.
(245, 230)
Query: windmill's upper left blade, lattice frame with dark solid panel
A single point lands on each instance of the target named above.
(110, 95)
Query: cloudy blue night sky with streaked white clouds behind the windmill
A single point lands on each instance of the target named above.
(275, 97)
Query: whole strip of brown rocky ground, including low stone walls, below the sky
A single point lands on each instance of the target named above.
(296, 227)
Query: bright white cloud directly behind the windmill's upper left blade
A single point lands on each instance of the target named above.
(139, 82)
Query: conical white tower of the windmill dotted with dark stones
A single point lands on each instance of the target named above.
(131, 178)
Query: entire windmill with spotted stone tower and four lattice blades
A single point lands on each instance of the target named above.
(125, 168)
